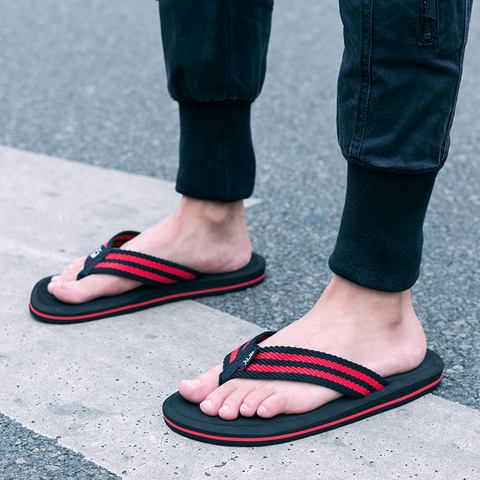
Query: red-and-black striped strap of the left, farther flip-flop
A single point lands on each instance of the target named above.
(109, 258)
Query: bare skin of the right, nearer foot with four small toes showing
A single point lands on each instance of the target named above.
(375, 329)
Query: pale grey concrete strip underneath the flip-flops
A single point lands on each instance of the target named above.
(100, 386)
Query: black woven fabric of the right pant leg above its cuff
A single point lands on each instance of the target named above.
(399, 81)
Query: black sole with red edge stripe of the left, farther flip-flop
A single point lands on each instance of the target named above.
(47, 308)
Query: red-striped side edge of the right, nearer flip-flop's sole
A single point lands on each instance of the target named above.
(309, 430)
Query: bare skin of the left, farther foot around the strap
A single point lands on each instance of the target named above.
(210, 237)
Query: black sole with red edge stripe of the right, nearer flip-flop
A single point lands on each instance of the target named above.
(188, 420)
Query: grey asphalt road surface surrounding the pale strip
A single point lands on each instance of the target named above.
(85, 81)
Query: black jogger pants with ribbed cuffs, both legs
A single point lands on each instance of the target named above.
(397, 90)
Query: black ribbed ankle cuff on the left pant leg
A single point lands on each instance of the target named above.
(217, 161)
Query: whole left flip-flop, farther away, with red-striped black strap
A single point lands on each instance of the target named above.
(164, 282)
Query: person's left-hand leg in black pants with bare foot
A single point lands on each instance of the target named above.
(215, 78)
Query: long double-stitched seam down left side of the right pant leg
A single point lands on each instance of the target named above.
(366, 78)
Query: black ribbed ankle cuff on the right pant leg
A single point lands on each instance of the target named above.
(379, 245)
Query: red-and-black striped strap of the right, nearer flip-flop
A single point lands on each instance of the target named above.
(302, 365)
